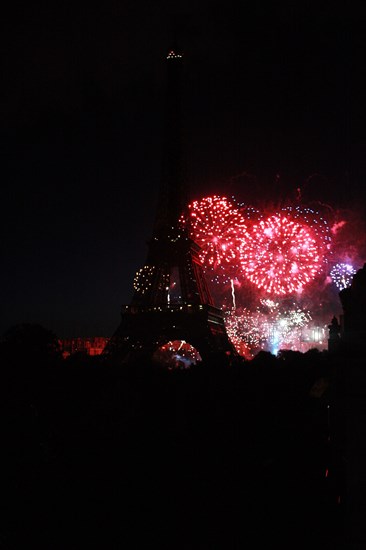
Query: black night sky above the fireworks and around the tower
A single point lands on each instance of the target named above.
(274, 100)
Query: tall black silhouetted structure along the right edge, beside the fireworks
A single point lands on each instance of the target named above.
(348, 412)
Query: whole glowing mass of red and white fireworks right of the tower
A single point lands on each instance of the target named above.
(265, 267)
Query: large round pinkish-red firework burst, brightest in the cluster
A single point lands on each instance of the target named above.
(283, 256)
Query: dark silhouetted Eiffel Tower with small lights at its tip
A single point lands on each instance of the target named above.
(171, 301)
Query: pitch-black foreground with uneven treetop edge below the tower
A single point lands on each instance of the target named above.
(215, 458)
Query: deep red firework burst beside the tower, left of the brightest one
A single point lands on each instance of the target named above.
(220, 230)
